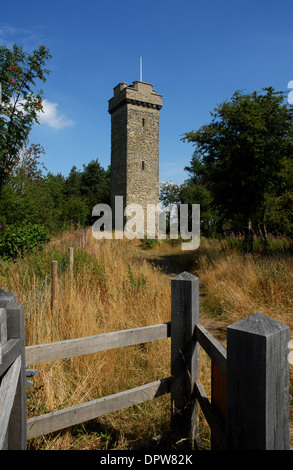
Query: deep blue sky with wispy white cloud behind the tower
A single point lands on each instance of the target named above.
(195, 53)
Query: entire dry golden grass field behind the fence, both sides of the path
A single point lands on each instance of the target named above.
(118, 285)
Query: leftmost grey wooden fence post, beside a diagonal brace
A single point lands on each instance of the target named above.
(17, 430)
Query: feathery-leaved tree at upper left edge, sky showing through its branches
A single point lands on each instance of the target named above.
(21, 102)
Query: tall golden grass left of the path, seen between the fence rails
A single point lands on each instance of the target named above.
(111, 289)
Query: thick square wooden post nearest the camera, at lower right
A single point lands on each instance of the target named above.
(257, 384)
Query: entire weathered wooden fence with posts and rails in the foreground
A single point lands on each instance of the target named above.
(249, 406)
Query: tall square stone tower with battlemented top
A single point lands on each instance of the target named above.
(134, 113)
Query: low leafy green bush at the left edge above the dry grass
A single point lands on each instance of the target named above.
(17, 240)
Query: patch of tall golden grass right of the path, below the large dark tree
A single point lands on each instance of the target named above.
(235, 284)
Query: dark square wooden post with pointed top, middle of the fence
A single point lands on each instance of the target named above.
(184, 352)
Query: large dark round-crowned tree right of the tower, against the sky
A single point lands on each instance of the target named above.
(242, 153)
